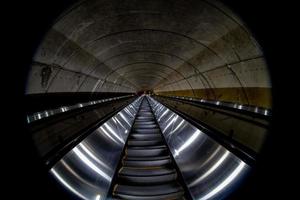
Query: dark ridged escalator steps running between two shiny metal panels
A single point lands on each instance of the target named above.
(147, 170)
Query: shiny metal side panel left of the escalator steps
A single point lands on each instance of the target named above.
(87, 170)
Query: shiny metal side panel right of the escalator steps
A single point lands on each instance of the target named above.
(209, 170)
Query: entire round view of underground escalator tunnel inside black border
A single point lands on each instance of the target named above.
(148, 100)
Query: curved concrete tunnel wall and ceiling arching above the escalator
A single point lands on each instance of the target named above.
(183, 48)
